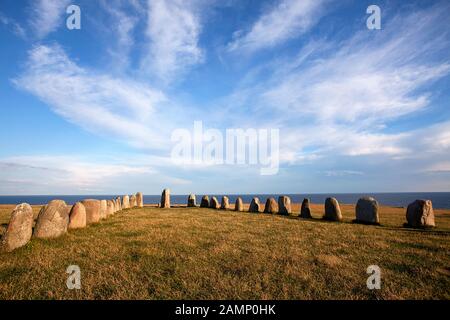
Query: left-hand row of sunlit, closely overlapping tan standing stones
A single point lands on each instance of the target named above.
(57, 217)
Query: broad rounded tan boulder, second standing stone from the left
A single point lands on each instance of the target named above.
(53, 220)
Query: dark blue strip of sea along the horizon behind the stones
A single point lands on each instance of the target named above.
(441, 200)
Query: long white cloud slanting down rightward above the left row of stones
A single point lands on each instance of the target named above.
(103, 104)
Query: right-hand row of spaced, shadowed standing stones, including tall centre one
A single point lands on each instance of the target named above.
(419, 214)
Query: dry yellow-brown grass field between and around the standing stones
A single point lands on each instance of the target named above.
(183, 253)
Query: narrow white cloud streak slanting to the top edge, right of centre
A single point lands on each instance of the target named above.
(286, 20)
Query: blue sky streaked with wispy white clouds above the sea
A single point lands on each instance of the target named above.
(91, 111)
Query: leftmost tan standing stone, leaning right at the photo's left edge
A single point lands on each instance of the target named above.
(20, 228)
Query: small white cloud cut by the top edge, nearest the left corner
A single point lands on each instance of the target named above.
(47, 15)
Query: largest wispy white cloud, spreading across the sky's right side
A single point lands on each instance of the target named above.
(338, 97)
